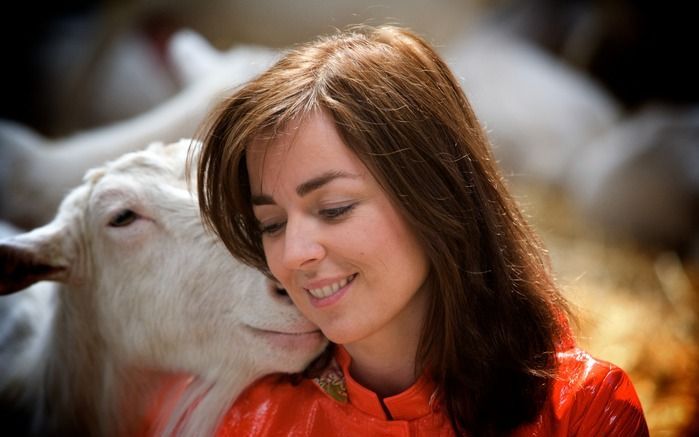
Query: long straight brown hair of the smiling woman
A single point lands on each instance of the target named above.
(494, 315)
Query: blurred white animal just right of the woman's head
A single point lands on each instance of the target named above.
(539, 113)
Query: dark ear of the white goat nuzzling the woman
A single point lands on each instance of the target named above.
(21, 267)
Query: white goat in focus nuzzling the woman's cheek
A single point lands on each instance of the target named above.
(144, 288)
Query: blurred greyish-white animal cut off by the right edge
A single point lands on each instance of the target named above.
(641, 178)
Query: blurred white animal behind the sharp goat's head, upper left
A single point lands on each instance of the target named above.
(36, 172)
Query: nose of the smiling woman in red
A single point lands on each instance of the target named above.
(302, 248)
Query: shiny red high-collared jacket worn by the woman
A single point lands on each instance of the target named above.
(589, 398)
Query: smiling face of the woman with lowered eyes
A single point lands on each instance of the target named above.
(332, 237)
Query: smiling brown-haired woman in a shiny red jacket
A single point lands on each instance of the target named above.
(355, 172)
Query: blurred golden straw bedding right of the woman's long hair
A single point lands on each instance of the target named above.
(637, 307)
